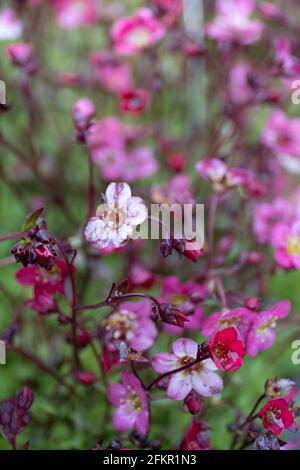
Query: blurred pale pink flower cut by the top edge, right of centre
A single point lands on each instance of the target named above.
(233, 24)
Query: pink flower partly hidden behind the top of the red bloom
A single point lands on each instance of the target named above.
(240, 318)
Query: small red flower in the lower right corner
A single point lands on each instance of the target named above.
(276, 416)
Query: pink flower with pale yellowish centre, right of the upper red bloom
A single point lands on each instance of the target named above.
(262, 333)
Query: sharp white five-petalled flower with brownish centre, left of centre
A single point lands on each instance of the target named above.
(117, 218)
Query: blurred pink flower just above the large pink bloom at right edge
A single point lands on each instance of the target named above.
(268, 214)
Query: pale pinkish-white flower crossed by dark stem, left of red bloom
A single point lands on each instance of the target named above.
(201, 377)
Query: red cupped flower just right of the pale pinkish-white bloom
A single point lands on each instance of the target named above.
(227, 350)
